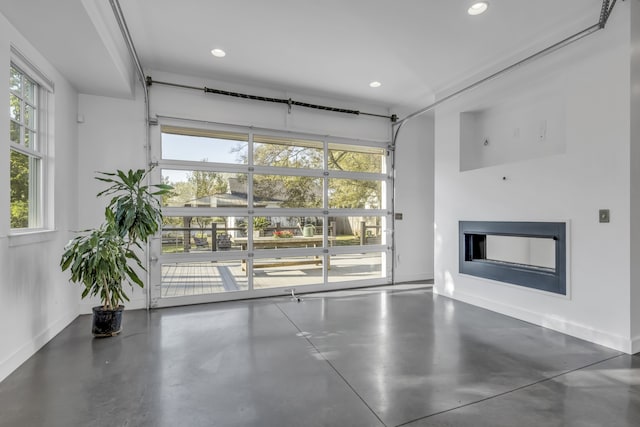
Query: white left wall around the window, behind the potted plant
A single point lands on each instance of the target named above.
(36, 300)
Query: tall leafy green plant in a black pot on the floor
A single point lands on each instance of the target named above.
(103, 259)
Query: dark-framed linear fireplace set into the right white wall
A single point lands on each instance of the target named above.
(531, 254)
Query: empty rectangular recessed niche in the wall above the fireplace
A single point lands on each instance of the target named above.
(529, 127)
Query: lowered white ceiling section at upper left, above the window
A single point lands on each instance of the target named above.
(79, 37)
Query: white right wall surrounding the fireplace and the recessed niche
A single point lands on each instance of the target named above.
(592, 172)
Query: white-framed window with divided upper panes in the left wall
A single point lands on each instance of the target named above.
(27, 150)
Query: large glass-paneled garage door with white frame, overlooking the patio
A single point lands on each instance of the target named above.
(255, 213)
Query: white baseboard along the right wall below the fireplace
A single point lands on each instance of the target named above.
(555, 323)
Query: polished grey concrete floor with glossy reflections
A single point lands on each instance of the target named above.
(361, 358)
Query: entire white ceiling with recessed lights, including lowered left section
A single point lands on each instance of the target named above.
(416, 48)
